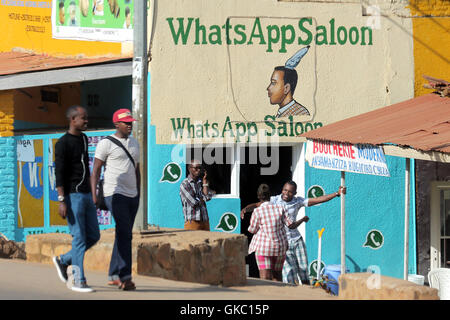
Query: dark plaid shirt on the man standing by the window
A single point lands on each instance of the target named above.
(191, 193)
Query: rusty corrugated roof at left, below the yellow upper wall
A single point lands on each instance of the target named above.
(21, 62)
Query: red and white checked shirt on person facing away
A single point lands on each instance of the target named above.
(268, 223)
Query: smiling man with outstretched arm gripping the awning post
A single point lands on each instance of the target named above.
(296, 263)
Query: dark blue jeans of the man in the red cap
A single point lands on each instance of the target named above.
(123, 210)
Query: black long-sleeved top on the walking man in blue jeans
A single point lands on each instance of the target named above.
(72, 163)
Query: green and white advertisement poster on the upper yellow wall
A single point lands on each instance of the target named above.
(96, 20)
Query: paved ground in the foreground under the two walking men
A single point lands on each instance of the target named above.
(33, 281)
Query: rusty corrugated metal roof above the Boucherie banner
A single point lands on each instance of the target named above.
(421, 123)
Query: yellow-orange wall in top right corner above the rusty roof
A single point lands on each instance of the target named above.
(431, 31)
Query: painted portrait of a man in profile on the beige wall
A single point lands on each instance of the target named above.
(281, 91)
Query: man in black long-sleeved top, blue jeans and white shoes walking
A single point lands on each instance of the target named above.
(75, 199)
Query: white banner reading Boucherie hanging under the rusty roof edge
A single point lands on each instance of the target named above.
(364, 159)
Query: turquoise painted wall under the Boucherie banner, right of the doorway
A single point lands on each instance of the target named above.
(371, 203)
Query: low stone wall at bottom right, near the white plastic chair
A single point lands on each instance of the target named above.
(368, 286)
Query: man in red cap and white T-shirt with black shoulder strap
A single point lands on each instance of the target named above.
(119, 153)
